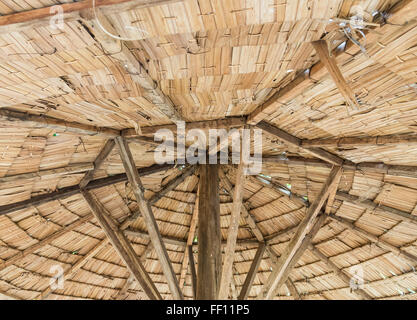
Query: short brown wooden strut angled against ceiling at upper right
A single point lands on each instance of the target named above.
(330, 63)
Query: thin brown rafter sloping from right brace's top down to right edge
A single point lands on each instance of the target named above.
(370, 205)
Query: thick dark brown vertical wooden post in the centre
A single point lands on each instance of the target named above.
(209, 235)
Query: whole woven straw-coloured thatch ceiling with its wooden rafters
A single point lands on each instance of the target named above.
(332, 101)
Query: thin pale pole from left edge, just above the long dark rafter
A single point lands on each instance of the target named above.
(75, 168)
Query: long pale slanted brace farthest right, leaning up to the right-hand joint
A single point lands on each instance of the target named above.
(305, 225)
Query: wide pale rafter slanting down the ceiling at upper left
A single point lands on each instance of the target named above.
(121, 52)
